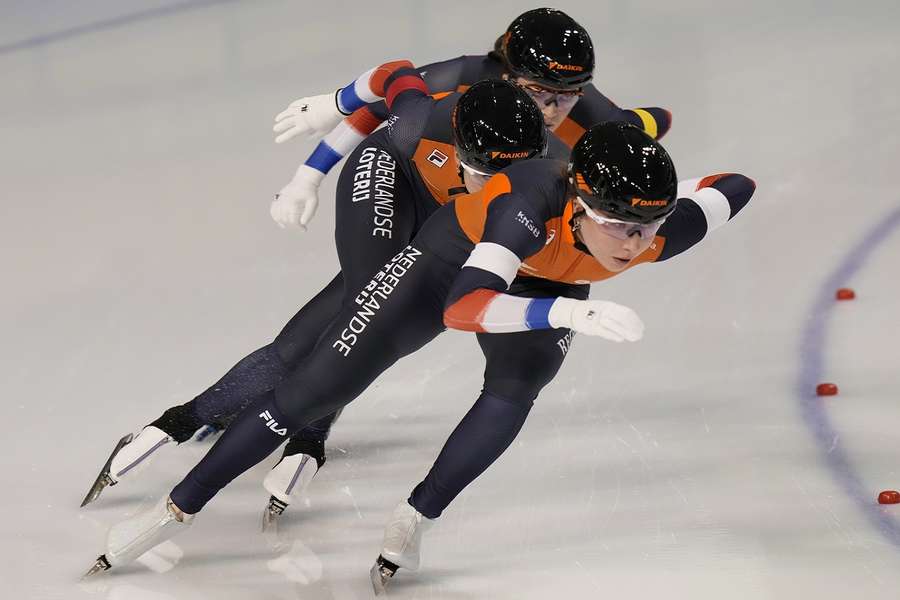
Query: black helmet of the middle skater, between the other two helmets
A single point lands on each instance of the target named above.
(495, 123)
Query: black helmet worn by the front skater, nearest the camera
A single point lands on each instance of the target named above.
(618, 169)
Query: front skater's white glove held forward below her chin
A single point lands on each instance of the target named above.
(597, 317)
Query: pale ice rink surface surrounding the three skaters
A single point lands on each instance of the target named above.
(139, 263)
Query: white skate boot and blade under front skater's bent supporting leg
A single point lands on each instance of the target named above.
(401, 545)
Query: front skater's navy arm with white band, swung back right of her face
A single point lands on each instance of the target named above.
(703, 205)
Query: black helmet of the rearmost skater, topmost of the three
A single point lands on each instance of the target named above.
(547, 46)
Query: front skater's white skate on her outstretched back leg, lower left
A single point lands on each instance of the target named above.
(133, 537)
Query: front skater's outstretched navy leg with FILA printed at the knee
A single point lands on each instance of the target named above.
(401, 312)
